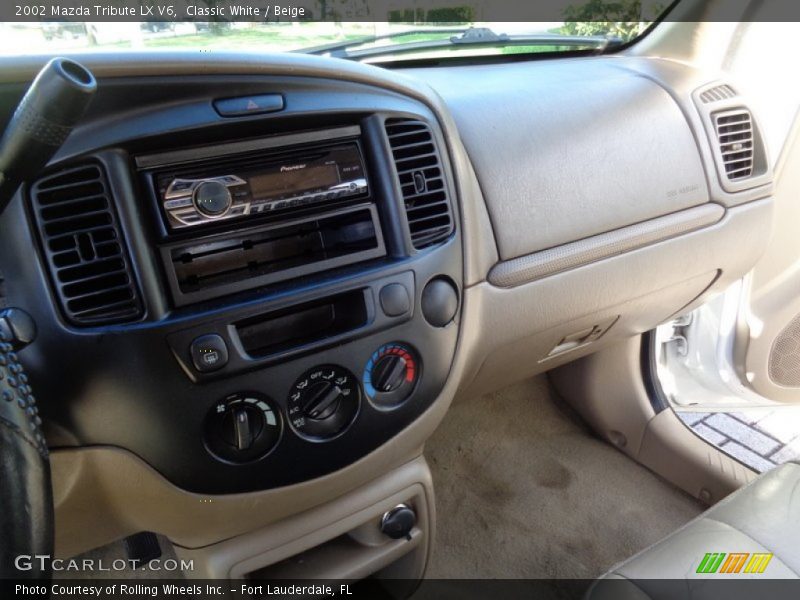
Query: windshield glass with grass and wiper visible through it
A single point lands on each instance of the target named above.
(451, 30)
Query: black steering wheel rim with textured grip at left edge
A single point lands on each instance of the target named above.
(26, 521)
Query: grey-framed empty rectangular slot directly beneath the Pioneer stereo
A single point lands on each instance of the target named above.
(252, 258)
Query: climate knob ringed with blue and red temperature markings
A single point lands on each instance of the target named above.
(390, 375)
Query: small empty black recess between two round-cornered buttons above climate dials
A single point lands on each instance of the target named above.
(298, 326)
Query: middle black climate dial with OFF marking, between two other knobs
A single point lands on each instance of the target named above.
(323, 402)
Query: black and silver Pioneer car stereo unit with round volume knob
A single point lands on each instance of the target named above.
(260, 183)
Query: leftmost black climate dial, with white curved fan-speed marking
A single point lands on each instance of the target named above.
(242, 428)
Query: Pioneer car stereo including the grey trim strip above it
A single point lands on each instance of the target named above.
(276, 175)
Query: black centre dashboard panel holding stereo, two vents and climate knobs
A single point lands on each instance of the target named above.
(258, 301)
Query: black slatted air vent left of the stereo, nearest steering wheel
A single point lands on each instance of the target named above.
(83, 245)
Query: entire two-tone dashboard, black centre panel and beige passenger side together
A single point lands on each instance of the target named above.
(262, 279)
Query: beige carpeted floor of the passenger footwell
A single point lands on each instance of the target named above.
(524, 490)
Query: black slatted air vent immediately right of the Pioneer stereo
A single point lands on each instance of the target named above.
(419, 170)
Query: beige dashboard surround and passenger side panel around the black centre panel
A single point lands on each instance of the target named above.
(591, 211)
